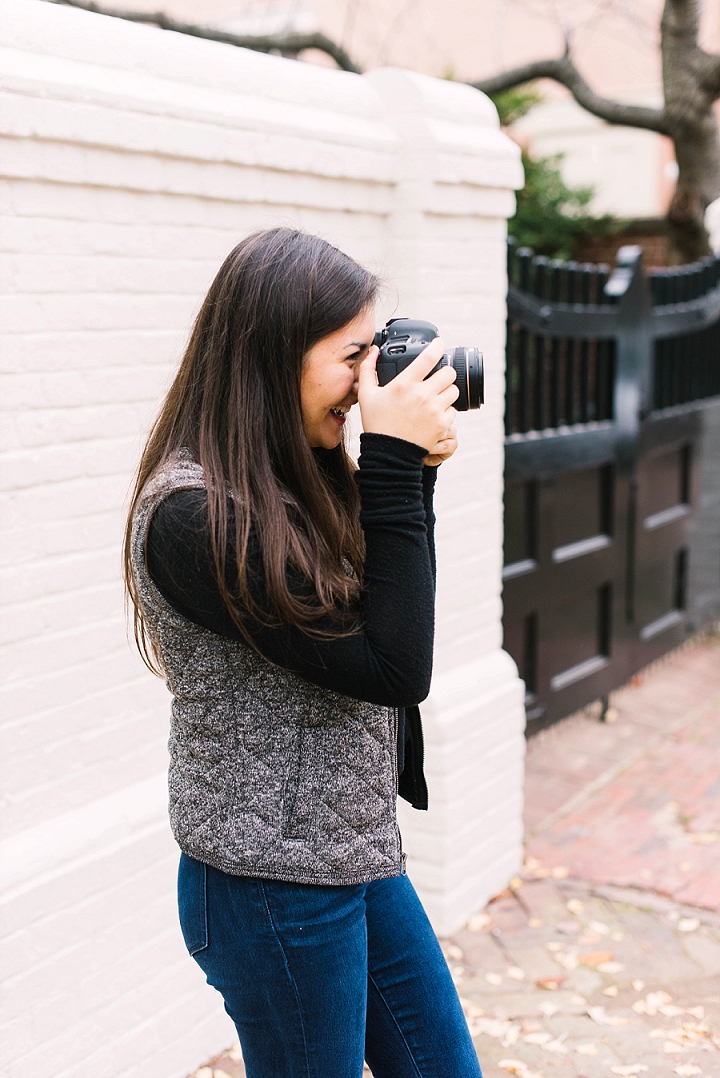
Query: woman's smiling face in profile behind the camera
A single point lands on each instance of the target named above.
(328, 388)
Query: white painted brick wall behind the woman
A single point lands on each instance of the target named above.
(133, 161)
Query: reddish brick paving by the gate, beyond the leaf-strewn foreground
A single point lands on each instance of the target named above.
(638, 804)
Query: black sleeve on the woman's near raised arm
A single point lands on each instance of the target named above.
(390, 659)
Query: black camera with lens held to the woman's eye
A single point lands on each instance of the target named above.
(403, 340)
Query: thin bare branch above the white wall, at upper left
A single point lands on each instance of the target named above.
(286, 44)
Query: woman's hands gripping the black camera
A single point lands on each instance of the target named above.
(410, 407)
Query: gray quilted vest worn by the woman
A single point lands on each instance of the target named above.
(270, 776)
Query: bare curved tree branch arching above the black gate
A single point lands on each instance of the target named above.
(563, 71)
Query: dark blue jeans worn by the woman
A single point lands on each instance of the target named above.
(317, 978)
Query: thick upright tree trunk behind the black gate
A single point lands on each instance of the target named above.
(689, 78)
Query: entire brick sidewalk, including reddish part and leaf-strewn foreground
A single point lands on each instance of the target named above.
(604, 958)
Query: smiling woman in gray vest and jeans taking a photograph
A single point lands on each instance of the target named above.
(288, 600)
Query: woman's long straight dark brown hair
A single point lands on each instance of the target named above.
(236, 405)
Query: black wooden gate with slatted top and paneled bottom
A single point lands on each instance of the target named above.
(613, 472)
